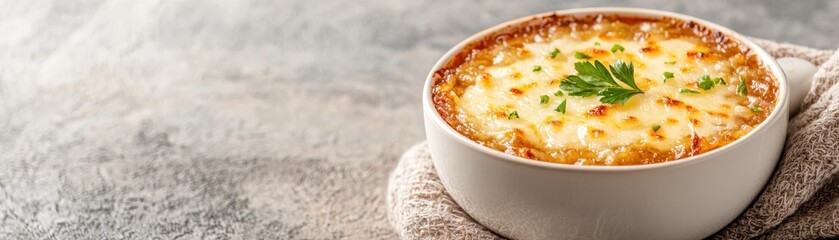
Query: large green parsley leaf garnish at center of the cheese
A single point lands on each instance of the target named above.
(595, 79)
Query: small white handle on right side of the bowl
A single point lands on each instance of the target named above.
(799, 74)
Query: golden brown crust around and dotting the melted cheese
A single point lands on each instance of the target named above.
(450, 83)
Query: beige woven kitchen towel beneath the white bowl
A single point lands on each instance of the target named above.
(801, 200)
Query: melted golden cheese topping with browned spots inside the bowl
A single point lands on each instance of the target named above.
(497, 80)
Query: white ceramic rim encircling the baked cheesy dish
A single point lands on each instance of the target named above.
(780, 109)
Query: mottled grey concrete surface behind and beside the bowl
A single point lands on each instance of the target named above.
(245, 119)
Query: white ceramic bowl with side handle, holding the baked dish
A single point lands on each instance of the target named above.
(689, 198)
